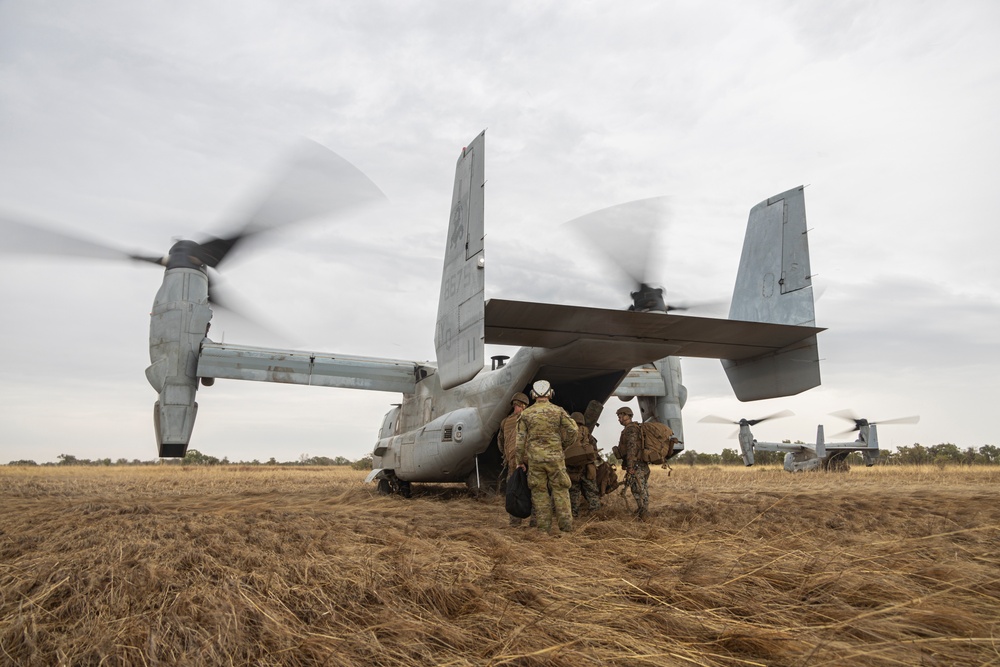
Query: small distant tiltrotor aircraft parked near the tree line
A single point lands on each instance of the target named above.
(822, 455)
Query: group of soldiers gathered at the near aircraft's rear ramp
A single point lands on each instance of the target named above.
(540, 439)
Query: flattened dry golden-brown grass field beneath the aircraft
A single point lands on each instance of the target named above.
(278, 566)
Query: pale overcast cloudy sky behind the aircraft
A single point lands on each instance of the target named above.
(137, 123)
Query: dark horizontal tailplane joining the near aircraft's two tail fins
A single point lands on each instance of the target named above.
(552, 326)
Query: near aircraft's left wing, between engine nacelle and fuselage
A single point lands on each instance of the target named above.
(241, 362)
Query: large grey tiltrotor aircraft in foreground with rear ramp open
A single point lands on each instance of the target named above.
(445, 427)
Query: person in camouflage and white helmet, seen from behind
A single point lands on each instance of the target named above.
(543, 431)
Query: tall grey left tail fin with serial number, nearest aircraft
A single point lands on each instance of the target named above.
(458, 338)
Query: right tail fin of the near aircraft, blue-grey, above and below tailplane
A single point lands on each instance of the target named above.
(774, 285)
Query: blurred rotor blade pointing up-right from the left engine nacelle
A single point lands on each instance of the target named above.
(314, 182)
